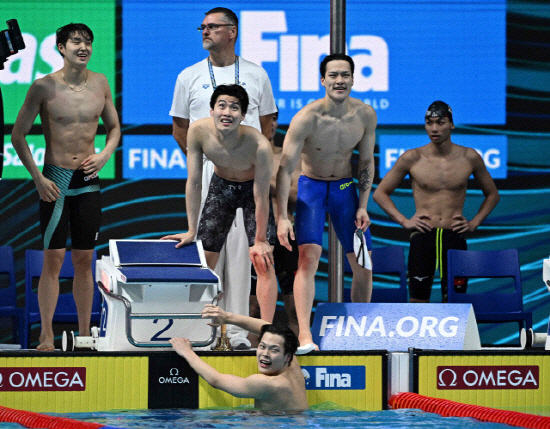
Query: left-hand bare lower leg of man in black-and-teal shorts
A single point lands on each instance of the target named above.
(48, 293)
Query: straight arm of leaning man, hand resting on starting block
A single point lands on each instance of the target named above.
(193, 188)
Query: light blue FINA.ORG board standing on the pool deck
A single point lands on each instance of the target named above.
(395, 327)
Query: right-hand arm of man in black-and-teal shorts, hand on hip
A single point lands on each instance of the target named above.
(94, 163)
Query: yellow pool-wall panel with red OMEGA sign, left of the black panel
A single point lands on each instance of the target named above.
(59, 382)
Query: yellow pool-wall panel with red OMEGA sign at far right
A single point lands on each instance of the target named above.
(496, 379)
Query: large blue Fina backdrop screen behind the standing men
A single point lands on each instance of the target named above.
(407, 54)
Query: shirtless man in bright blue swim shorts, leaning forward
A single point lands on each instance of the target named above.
(326, 132)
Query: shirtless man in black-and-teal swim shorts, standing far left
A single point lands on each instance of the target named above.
(70, 102)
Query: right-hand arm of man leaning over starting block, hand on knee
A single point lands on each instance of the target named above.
(262, 177)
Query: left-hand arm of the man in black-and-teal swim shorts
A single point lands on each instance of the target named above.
(47, 189)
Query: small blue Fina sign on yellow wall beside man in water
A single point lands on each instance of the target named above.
(334, 377)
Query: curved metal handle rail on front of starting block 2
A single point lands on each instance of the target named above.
(130, 316)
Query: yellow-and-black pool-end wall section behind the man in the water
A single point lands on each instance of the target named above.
(84, 381)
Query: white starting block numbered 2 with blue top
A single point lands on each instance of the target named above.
(151, 293)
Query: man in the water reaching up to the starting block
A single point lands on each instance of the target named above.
(280, 383)
